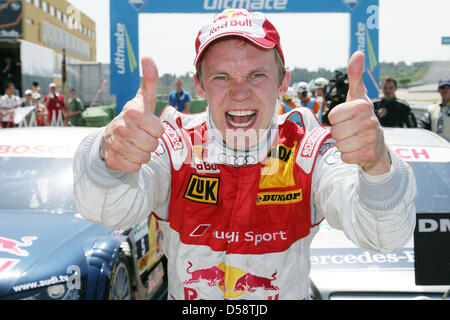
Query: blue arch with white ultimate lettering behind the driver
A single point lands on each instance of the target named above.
(125, 32)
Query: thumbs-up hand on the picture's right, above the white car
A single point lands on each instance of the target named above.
(355, 127)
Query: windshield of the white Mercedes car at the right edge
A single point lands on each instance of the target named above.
(433, 186)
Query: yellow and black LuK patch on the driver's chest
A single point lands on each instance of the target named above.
(203, 189)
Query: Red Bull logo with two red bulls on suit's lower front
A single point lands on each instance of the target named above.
(233, 281)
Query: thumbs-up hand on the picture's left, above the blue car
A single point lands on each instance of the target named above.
(132, 136)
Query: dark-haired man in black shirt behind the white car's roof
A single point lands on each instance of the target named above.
(392, 111)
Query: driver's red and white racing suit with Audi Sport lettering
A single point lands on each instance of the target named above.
(238, 225)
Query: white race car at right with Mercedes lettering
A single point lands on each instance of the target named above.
(340, 270)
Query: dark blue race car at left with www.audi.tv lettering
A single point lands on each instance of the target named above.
(47, 250)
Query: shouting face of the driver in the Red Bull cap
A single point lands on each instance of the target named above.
(241, 82)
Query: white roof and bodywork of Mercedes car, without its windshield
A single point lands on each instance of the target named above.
(340, 270)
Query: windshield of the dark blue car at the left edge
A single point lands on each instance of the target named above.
(36, 184)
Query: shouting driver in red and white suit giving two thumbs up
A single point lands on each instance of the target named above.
(239, 190)
